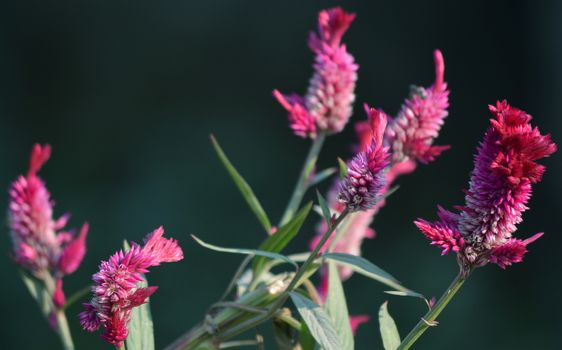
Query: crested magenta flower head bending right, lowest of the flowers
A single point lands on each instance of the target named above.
(116, 290)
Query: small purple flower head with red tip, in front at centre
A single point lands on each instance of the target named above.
(365, 178)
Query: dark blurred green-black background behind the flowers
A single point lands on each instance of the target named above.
(127, 94)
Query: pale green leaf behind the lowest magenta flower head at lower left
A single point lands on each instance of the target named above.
(141, 330)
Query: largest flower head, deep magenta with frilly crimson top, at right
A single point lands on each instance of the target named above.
(500, 186)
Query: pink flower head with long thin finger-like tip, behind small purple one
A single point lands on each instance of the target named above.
(411, 134)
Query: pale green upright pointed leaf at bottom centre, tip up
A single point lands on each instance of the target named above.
(336, 308)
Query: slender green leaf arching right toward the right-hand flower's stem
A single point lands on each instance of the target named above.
(365, 267)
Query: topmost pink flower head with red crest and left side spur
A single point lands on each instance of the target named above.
(327, 105)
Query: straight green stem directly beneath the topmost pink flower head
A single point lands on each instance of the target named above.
(304, 177)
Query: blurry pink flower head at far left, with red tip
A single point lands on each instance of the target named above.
(38, 240)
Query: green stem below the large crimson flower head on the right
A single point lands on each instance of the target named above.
(429, 319)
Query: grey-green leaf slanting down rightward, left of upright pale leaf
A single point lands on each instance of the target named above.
(318, 322)
